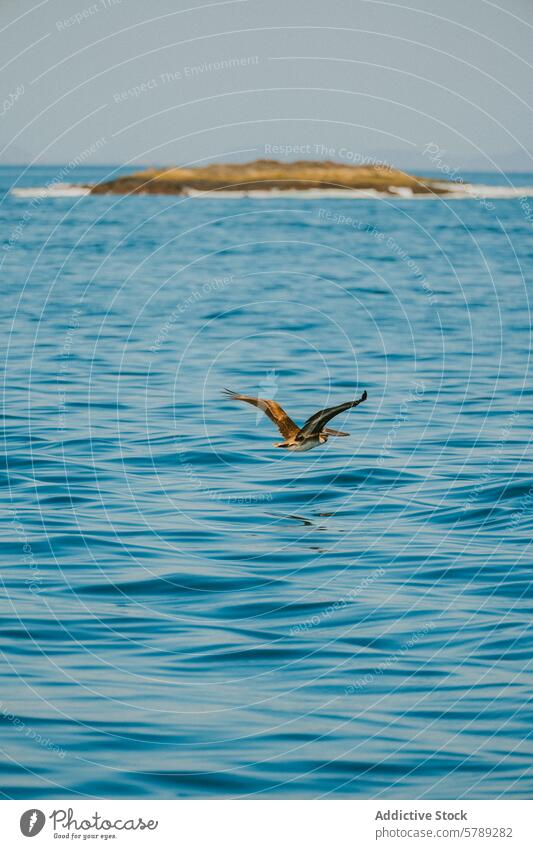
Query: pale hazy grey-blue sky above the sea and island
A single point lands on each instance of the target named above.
(426, 84)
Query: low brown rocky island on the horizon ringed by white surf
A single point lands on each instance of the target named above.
(269, 175)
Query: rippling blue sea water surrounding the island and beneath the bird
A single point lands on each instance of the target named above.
(188, 611)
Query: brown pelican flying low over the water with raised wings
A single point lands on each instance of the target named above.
(311, 434)
